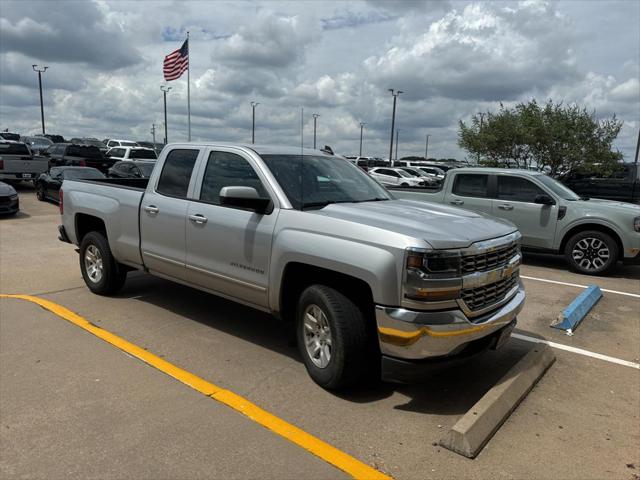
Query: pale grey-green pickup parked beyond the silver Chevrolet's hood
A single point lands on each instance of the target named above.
(591, 234)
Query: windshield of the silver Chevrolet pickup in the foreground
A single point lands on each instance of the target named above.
(316, 181)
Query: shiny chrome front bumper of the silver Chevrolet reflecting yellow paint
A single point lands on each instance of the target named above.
(418, 335)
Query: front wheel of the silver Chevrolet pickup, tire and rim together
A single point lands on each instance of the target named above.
(331, 334)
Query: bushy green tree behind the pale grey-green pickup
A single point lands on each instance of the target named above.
(553, 135)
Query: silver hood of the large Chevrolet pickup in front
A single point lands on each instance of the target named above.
(439, 225)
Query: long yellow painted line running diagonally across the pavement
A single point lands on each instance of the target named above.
(314, 445)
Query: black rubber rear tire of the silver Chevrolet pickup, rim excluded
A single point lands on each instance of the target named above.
(112, 275)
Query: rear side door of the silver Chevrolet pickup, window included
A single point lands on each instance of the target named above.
(163, 214)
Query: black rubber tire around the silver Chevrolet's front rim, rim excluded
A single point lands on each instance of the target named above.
(349, 354)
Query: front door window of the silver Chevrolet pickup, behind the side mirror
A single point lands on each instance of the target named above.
(227, 170)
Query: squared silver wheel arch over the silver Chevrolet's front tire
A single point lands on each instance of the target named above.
(298, 276)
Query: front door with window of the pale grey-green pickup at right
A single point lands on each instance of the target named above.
(515, 201)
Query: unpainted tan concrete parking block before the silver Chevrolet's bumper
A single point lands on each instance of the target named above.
(472, 432)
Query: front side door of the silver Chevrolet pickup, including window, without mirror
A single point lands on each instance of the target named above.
(228, 248)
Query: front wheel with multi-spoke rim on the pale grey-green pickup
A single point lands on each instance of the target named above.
(591, 253)
